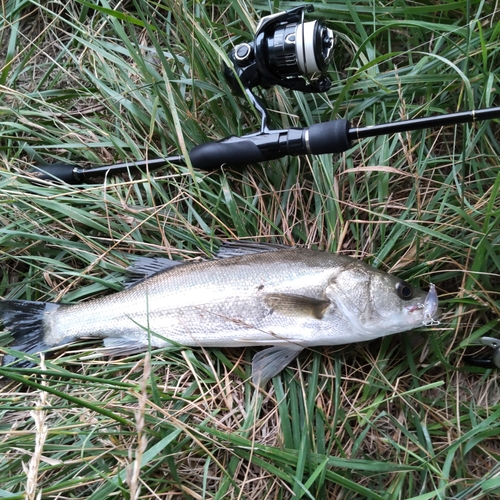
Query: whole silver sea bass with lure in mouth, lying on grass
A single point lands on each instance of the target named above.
(249, 295)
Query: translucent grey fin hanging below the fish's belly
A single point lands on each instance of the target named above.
(268, 363)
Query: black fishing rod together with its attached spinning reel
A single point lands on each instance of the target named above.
(292, 53)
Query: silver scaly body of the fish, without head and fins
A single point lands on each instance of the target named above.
(212, 303)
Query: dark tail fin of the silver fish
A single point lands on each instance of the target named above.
(24, 321)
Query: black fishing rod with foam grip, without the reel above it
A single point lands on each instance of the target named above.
(328, 137)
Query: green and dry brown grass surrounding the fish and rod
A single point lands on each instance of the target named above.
(398, 418)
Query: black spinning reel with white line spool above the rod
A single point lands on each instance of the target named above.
(286, 51)
